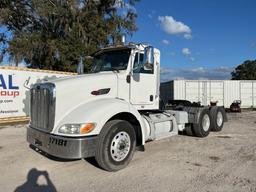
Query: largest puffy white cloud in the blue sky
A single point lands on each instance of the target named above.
(173, 27)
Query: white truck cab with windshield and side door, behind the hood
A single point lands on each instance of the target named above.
(132, 76)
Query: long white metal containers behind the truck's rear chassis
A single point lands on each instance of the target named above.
(205, 91)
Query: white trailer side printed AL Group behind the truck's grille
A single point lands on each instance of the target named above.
(14, 88)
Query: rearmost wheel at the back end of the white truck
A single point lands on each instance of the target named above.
(217, 119)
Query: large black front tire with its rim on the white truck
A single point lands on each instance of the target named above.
(116, 145)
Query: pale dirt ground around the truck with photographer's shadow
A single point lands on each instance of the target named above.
(224, 161)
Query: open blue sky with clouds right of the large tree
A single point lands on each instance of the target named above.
(198, 39)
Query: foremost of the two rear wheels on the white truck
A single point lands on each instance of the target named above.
(203, 127)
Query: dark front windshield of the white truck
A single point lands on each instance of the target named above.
(111, 60)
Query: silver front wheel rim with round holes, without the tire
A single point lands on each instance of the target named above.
(120, 146)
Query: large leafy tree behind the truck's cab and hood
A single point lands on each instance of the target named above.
(55, 34)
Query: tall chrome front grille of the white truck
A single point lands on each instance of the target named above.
(42, 106)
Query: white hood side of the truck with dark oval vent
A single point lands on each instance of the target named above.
(77, 90)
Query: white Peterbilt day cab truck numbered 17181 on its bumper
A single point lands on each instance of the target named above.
(112, 111)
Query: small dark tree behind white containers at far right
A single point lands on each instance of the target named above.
(245, 71)
